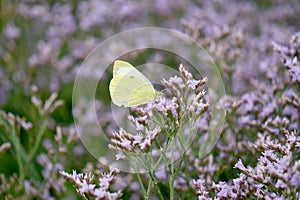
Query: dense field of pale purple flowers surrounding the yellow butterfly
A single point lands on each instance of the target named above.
(167, 143)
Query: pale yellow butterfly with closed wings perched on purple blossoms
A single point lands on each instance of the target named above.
(129, 87)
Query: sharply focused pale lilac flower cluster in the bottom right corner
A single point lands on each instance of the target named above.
(276, 166)
